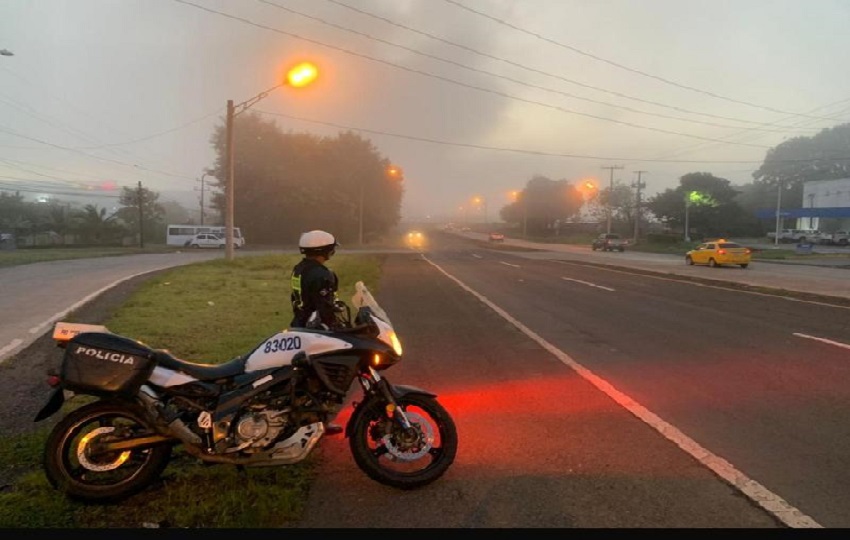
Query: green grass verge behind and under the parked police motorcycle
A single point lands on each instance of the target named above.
(204, 312)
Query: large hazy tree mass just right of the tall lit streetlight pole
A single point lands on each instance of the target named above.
(286, 183)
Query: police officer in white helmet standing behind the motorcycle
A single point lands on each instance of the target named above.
(314, 285)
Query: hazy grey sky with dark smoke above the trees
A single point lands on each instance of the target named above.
(471, 98)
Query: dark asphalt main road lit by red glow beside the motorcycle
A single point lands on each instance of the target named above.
(597, 397)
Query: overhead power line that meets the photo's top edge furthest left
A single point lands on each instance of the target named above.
(458, 83)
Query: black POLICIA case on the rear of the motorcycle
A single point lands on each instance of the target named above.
(102, 364)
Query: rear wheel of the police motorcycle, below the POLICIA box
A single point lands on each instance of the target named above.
(73, 467)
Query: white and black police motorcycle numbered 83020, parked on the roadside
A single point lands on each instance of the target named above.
(268, 407)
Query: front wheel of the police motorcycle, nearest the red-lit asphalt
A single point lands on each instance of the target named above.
(404, 458)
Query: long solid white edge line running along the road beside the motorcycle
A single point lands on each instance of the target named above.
(758, 493)
